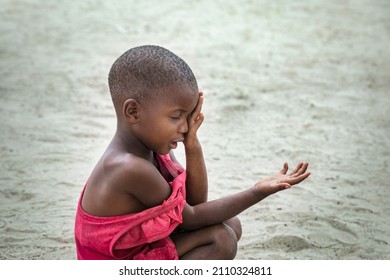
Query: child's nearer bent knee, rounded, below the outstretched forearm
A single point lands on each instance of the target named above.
(225, 240)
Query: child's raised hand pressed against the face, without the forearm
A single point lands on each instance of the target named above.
(195, 120)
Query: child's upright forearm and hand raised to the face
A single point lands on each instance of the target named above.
(196, 182)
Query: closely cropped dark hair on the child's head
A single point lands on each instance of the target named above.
(141, 71)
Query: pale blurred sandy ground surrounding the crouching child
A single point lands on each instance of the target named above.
(283, 80)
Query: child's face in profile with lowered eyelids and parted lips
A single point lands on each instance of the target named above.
(163, 120)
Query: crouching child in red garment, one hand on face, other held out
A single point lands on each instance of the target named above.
(138, 202)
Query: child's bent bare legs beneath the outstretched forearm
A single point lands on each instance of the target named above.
(213, 242)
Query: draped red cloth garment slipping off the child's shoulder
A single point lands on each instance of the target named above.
(143, 235)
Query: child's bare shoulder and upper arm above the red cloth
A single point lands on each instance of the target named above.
(124, 183)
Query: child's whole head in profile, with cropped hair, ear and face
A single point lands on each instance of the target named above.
(153, 92)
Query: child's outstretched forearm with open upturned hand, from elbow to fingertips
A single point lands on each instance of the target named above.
(222, 209)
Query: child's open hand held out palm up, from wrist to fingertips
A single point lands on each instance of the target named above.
(282, 180)
